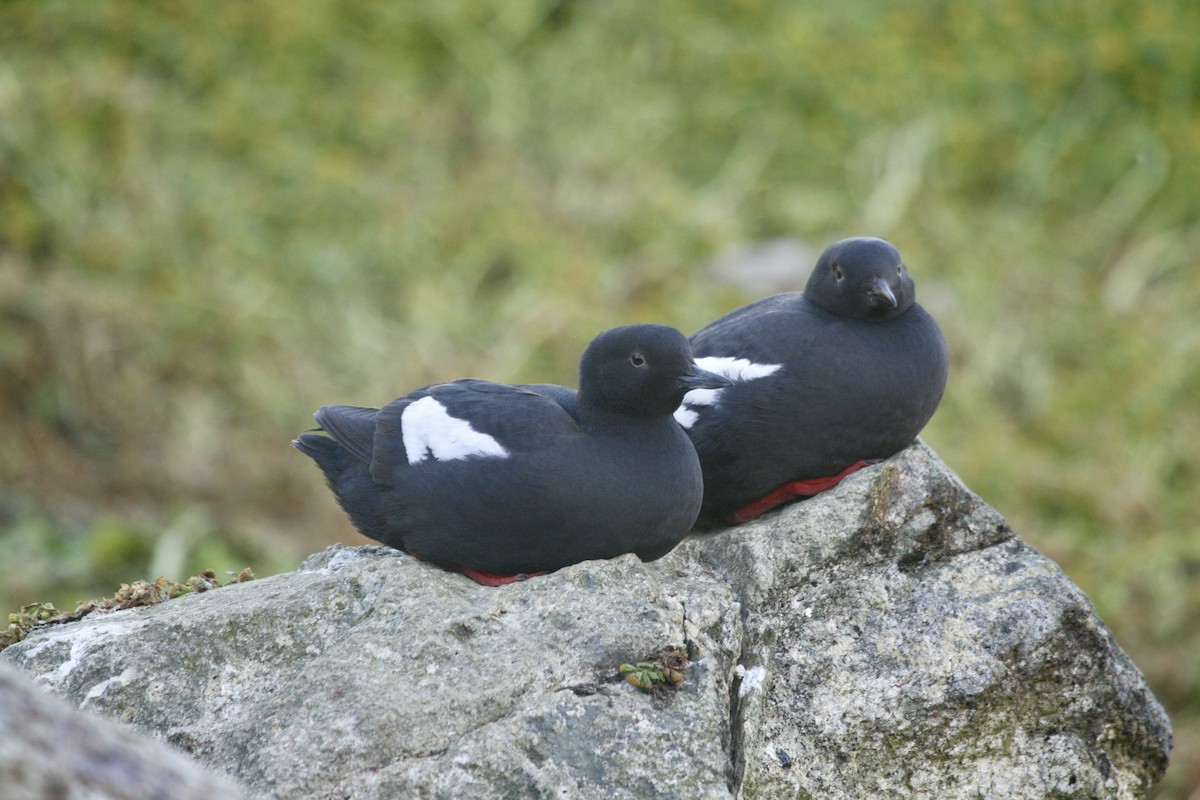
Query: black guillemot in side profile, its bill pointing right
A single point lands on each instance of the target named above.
(501, 483)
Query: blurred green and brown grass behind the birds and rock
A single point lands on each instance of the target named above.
(217, 216)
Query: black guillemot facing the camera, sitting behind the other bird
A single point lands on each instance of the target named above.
(826, 381)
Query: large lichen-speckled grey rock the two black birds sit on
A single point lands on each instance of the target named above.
(891, 637)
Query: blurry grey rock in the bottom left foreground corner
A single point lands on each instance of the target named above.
(49, 749)
